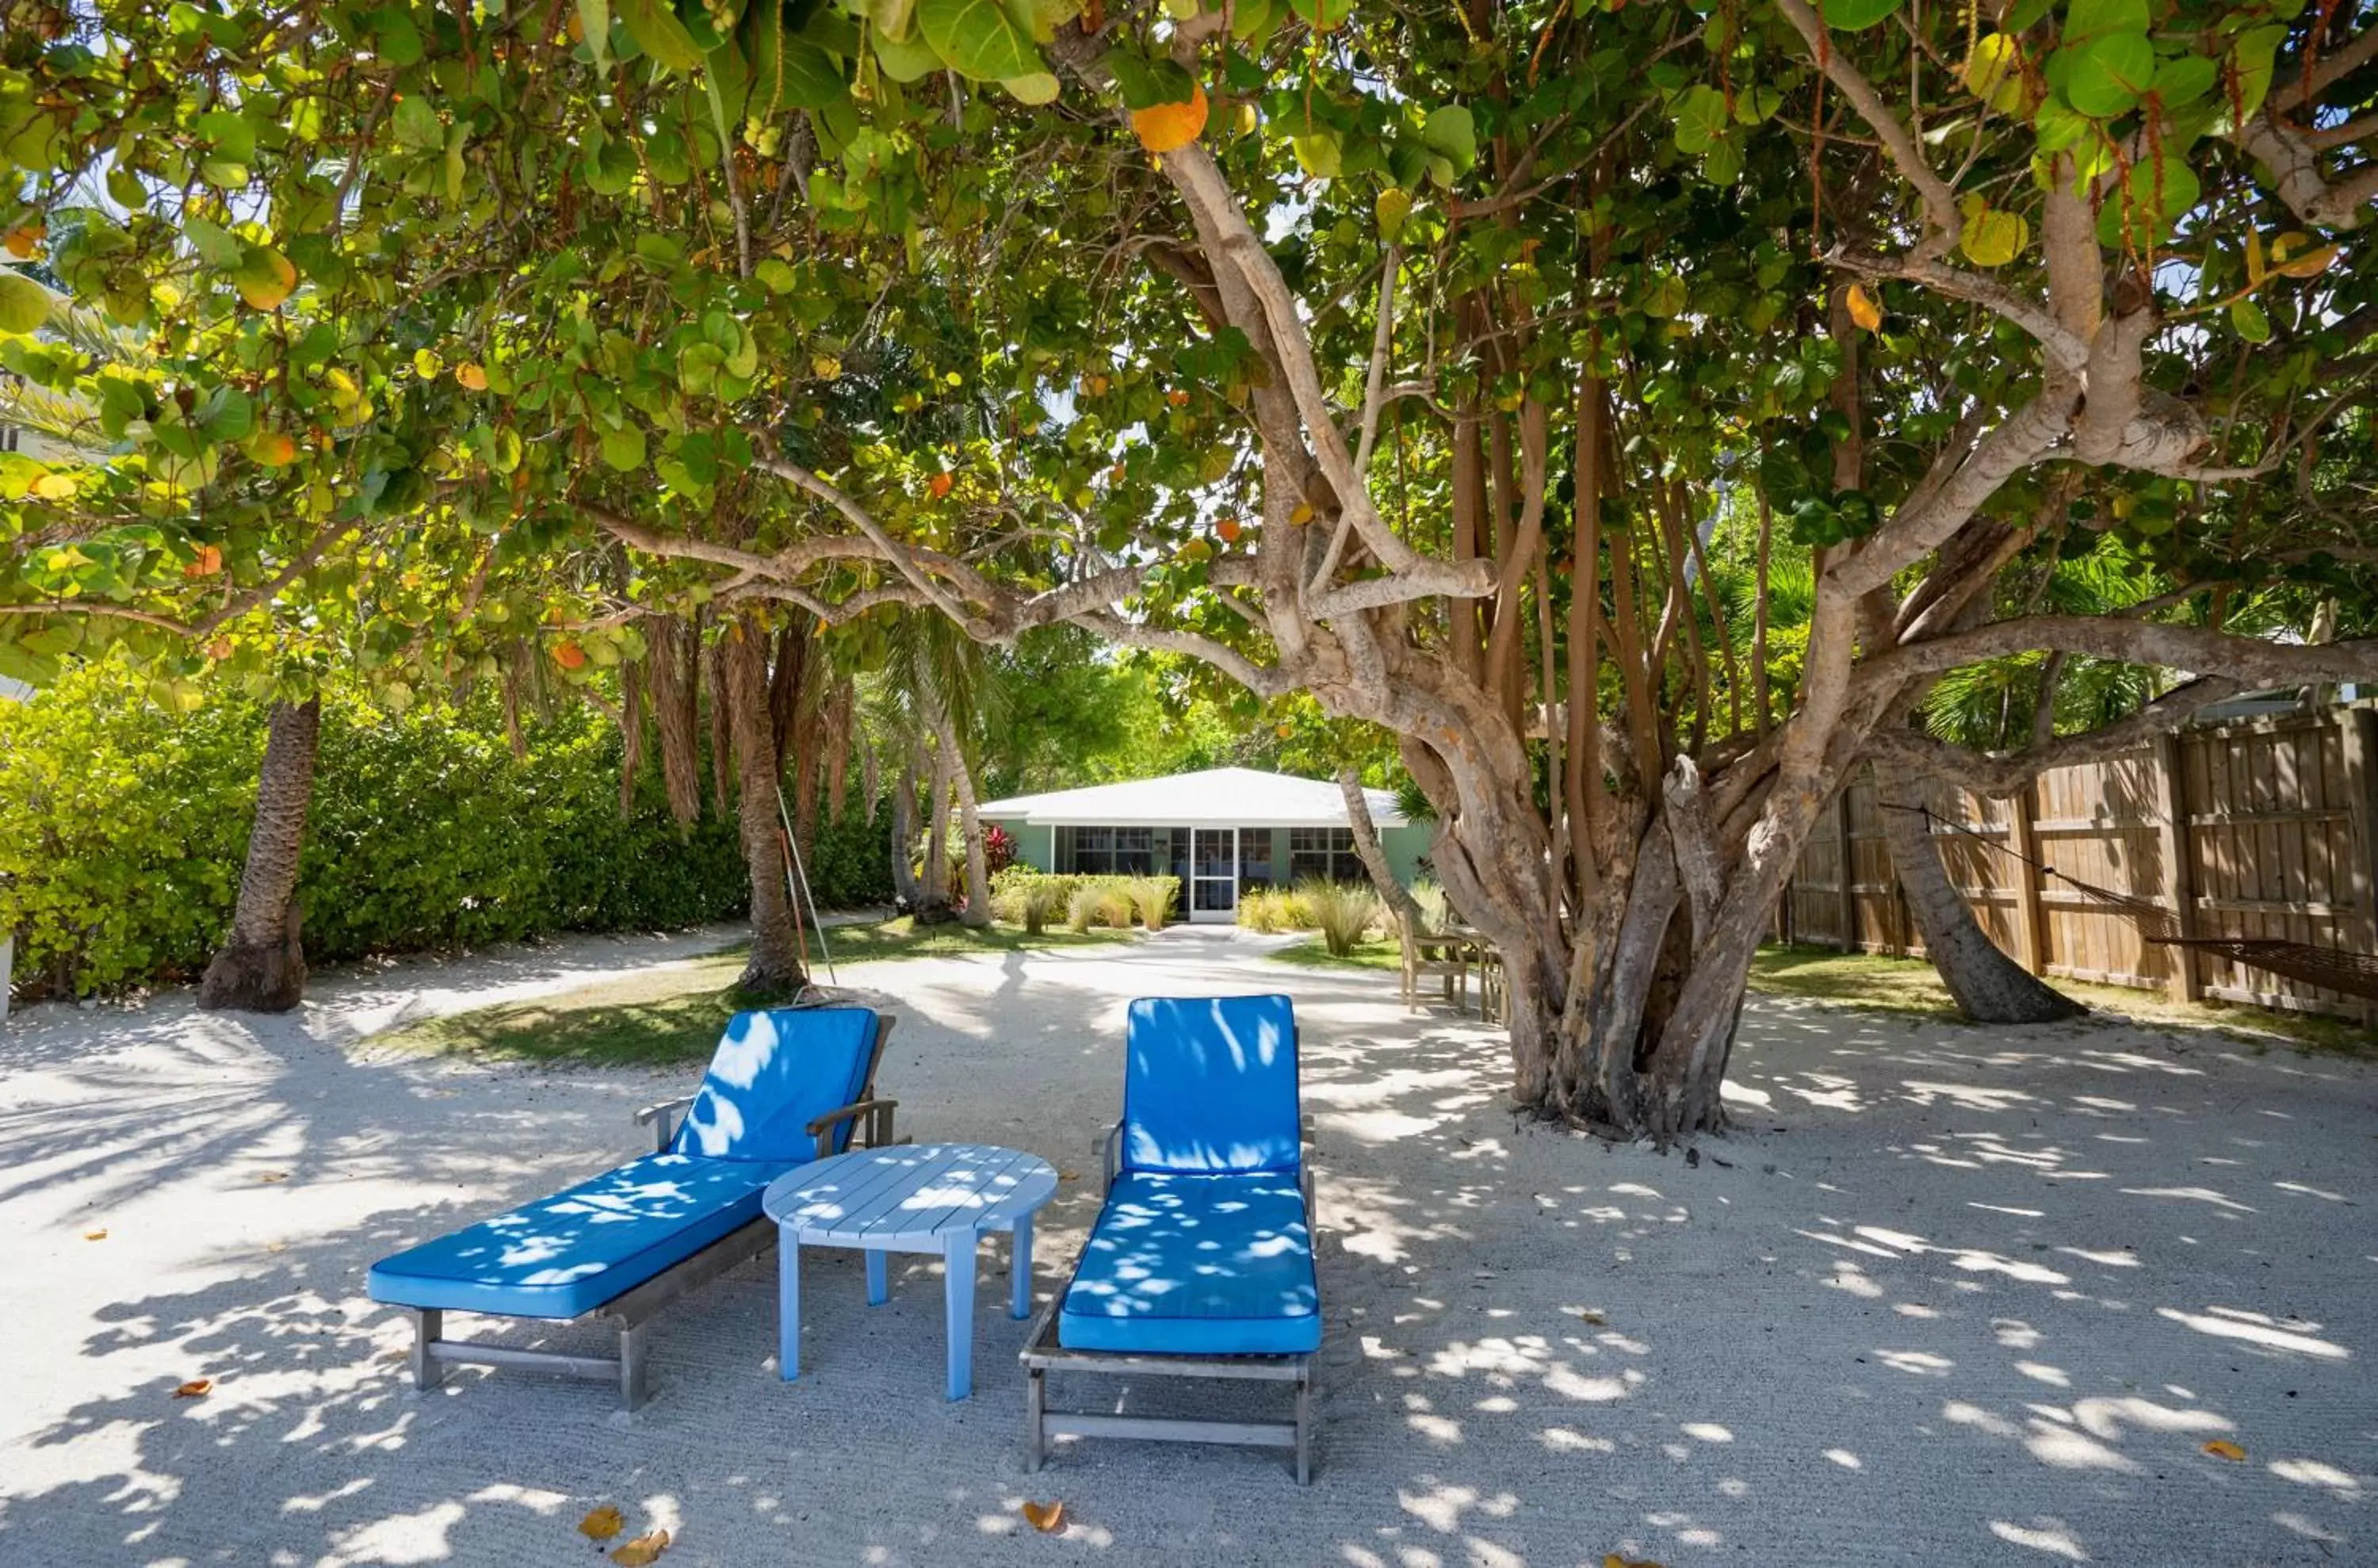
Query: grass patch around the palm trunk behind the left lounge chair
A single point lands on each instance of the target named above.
(672, 1017)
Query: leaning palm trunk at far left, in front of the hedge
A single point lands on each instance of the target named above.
(263, 965)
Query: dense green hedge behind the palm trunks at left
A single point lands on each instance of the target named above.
(127, 829)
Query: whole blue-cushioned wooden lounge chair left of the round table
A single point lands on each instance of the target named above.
(786, 1089)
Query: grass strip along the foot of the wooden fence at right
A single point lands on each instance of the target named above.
(1913, 986)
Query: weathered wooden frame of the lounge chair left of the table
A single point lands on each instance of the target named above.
(634, 1310)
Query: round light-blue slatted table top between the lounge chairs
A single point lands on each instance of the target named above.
(907, 1193)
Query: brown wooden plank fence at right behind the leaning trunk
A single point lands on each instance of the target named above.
(2251, 827)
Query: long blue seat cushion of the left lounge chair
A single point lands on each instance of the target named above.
(572, 1253)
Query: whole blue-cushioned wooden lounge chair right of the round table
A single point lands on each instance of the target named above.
(1202, 1257)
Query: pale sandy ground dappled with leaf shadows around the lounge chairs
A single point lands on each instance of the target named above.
(1946, 1298)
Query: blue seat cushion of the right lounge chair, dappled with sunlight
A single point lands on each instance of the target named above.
(1197, 1267)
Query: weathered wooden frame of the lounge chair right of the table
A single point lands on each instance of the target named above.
(1043, 1355)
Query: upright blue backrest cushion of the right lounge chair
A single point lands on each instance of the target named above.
(1212, 1086)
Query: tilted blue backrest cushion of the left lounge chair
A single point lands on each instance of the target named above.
(774, 1074)
